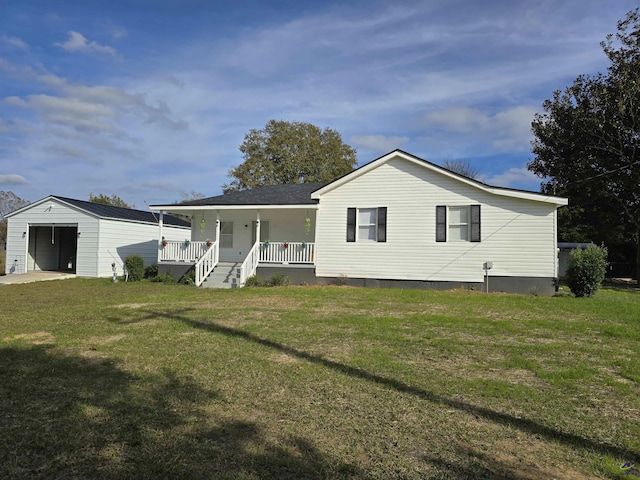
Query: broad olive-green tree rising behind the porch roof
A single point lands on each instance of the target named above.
(290, 152)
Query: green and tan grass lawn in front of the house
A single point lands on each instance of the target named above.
(102, 380)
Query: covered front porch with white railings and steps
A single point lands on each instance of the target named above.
(244, 238)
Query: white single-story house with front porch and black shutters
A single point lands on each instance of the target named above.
(397, 221)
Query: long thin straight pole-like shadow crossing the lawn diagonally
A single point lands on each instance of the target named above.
(526, 425)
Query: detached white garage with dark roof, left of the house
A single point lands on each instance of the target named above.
(85, 238)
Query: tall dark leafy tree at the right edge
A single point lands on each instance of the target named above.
(587, 145)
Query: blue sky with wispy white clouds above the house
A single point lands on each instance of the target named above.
(148, 99)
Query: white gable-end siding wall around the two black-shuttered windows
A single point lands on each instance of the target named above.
(517, 235)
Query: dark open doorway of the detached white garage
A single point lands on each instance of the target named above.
(53, 248)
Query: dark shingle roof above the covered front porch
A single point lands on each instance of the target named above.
(291, 194)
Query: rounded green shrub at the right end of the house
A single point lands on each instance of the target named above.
(586, 269)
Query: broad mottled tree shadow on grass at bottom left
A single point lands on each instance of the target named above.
(66, 416)
